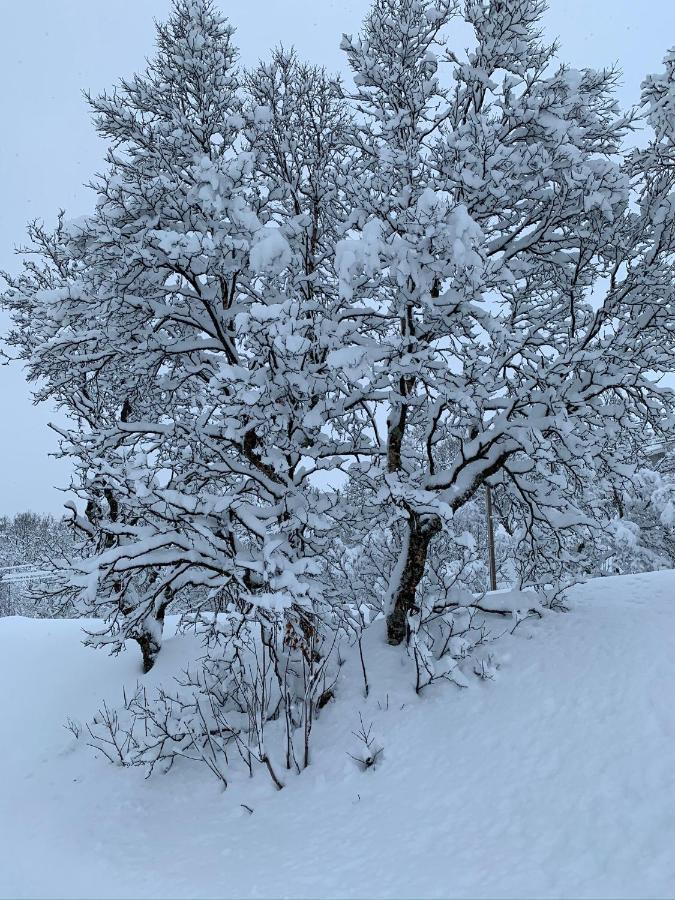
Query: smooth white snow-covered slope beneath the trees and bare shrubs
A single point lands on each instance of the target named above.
(557, 778)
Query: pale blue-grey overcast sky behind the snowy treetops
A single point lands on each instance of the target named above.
(53, 49)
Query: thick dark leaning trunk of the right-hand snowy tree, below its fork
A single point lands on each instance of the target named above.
(422, 529)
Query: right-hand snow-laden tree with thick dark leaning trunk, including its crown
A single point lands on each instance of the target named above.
(513, 307)
